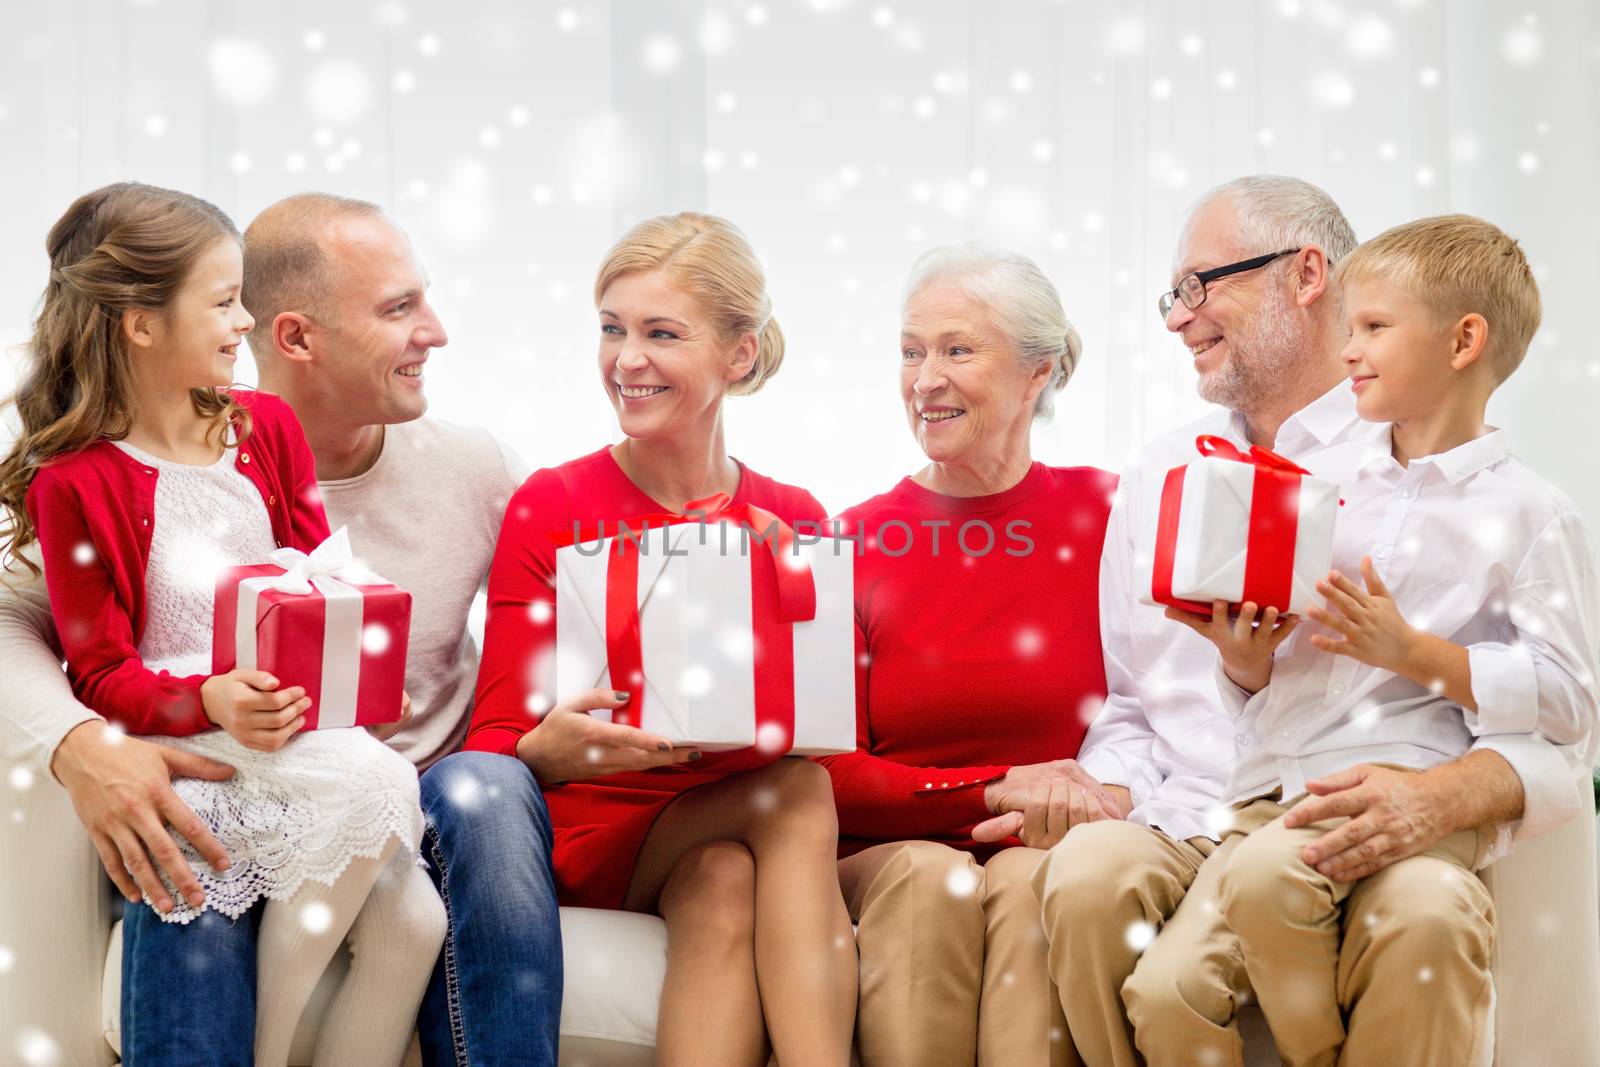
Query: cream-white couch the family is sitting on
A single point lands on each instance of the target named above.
(60, 953)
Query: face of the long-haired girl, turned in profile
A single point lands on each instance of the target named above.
(196, 342)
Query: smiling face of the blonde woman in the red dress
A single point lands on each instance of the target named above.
(662, 362)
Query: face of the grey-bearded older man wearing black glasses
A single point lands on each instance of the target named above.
(1244, 337)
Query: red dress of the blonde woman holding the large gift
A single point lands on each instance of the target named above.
(599, 823)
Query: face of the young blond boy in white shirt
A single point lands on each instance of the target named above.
(1399, 354)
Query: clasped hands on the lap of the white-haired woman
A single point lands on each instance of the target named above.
(1041, 802)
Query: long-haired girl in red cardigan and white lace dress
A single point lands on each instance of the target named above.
(140, 476)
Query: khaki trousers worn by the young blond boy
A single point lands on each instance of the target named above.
(1406, 953)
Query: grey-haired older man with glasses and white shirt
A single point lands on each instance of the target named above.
(1255, 305)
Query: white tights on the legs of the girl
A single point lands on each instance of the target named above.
(394, 922)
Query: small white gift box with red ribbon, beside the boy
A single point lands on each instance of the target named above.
(1241, 526)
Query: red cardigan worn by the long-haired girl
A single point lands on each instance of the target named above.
(95, 513)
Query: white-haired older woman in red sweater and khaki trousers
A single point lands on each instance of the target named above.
(980, 671)
